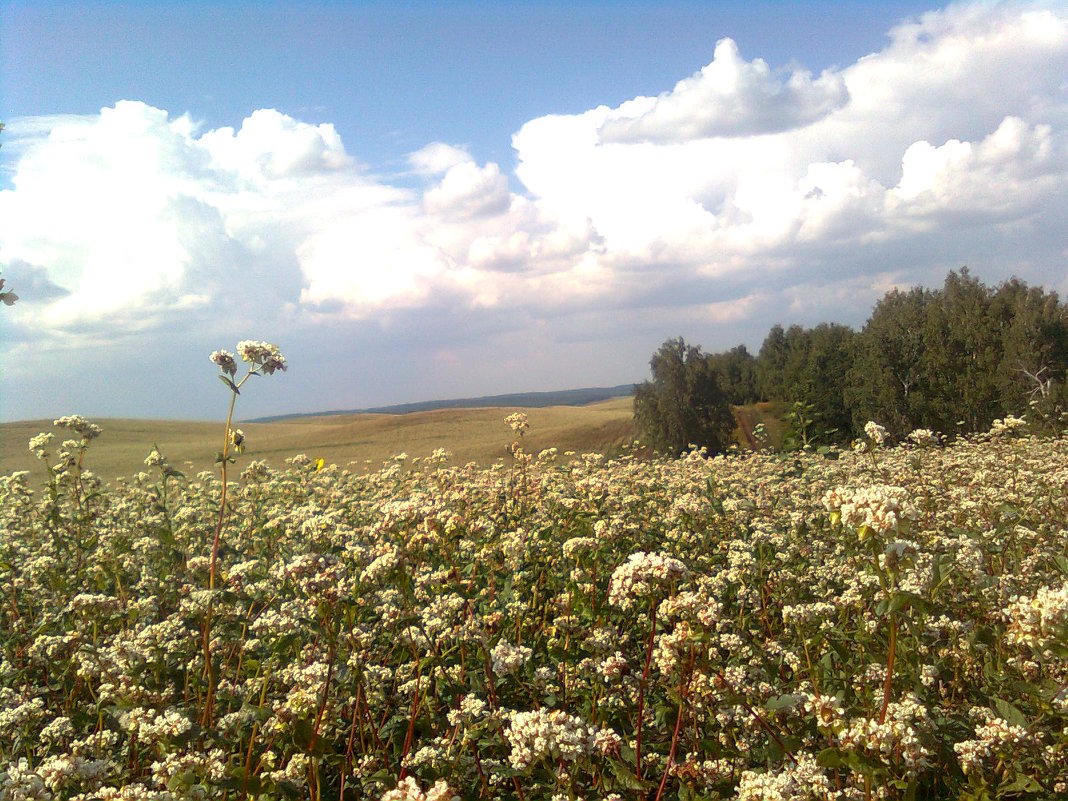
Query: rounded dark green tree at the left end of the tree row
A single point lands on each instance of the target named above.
(684, 404)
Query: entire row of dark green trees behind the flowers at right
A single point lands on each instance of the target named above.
(952, 360)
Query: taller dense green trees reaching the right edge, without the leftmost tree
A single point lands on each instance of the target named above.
(952, 359)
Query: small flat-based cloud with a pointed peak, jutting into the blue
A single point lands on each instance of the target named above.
(729, 98)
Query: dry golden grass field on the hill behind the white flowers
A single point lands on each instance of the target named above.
(367, 441)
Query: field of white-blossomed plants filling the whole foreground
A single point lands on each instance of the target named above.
(889, 625)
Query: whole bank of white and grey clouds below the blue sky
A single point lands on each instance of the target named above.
(743, 197)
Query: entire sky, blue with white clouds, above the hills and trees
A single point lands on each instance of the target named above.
(422, 201)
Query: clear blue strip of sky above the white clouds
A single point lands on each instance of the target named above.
(392, 76)
